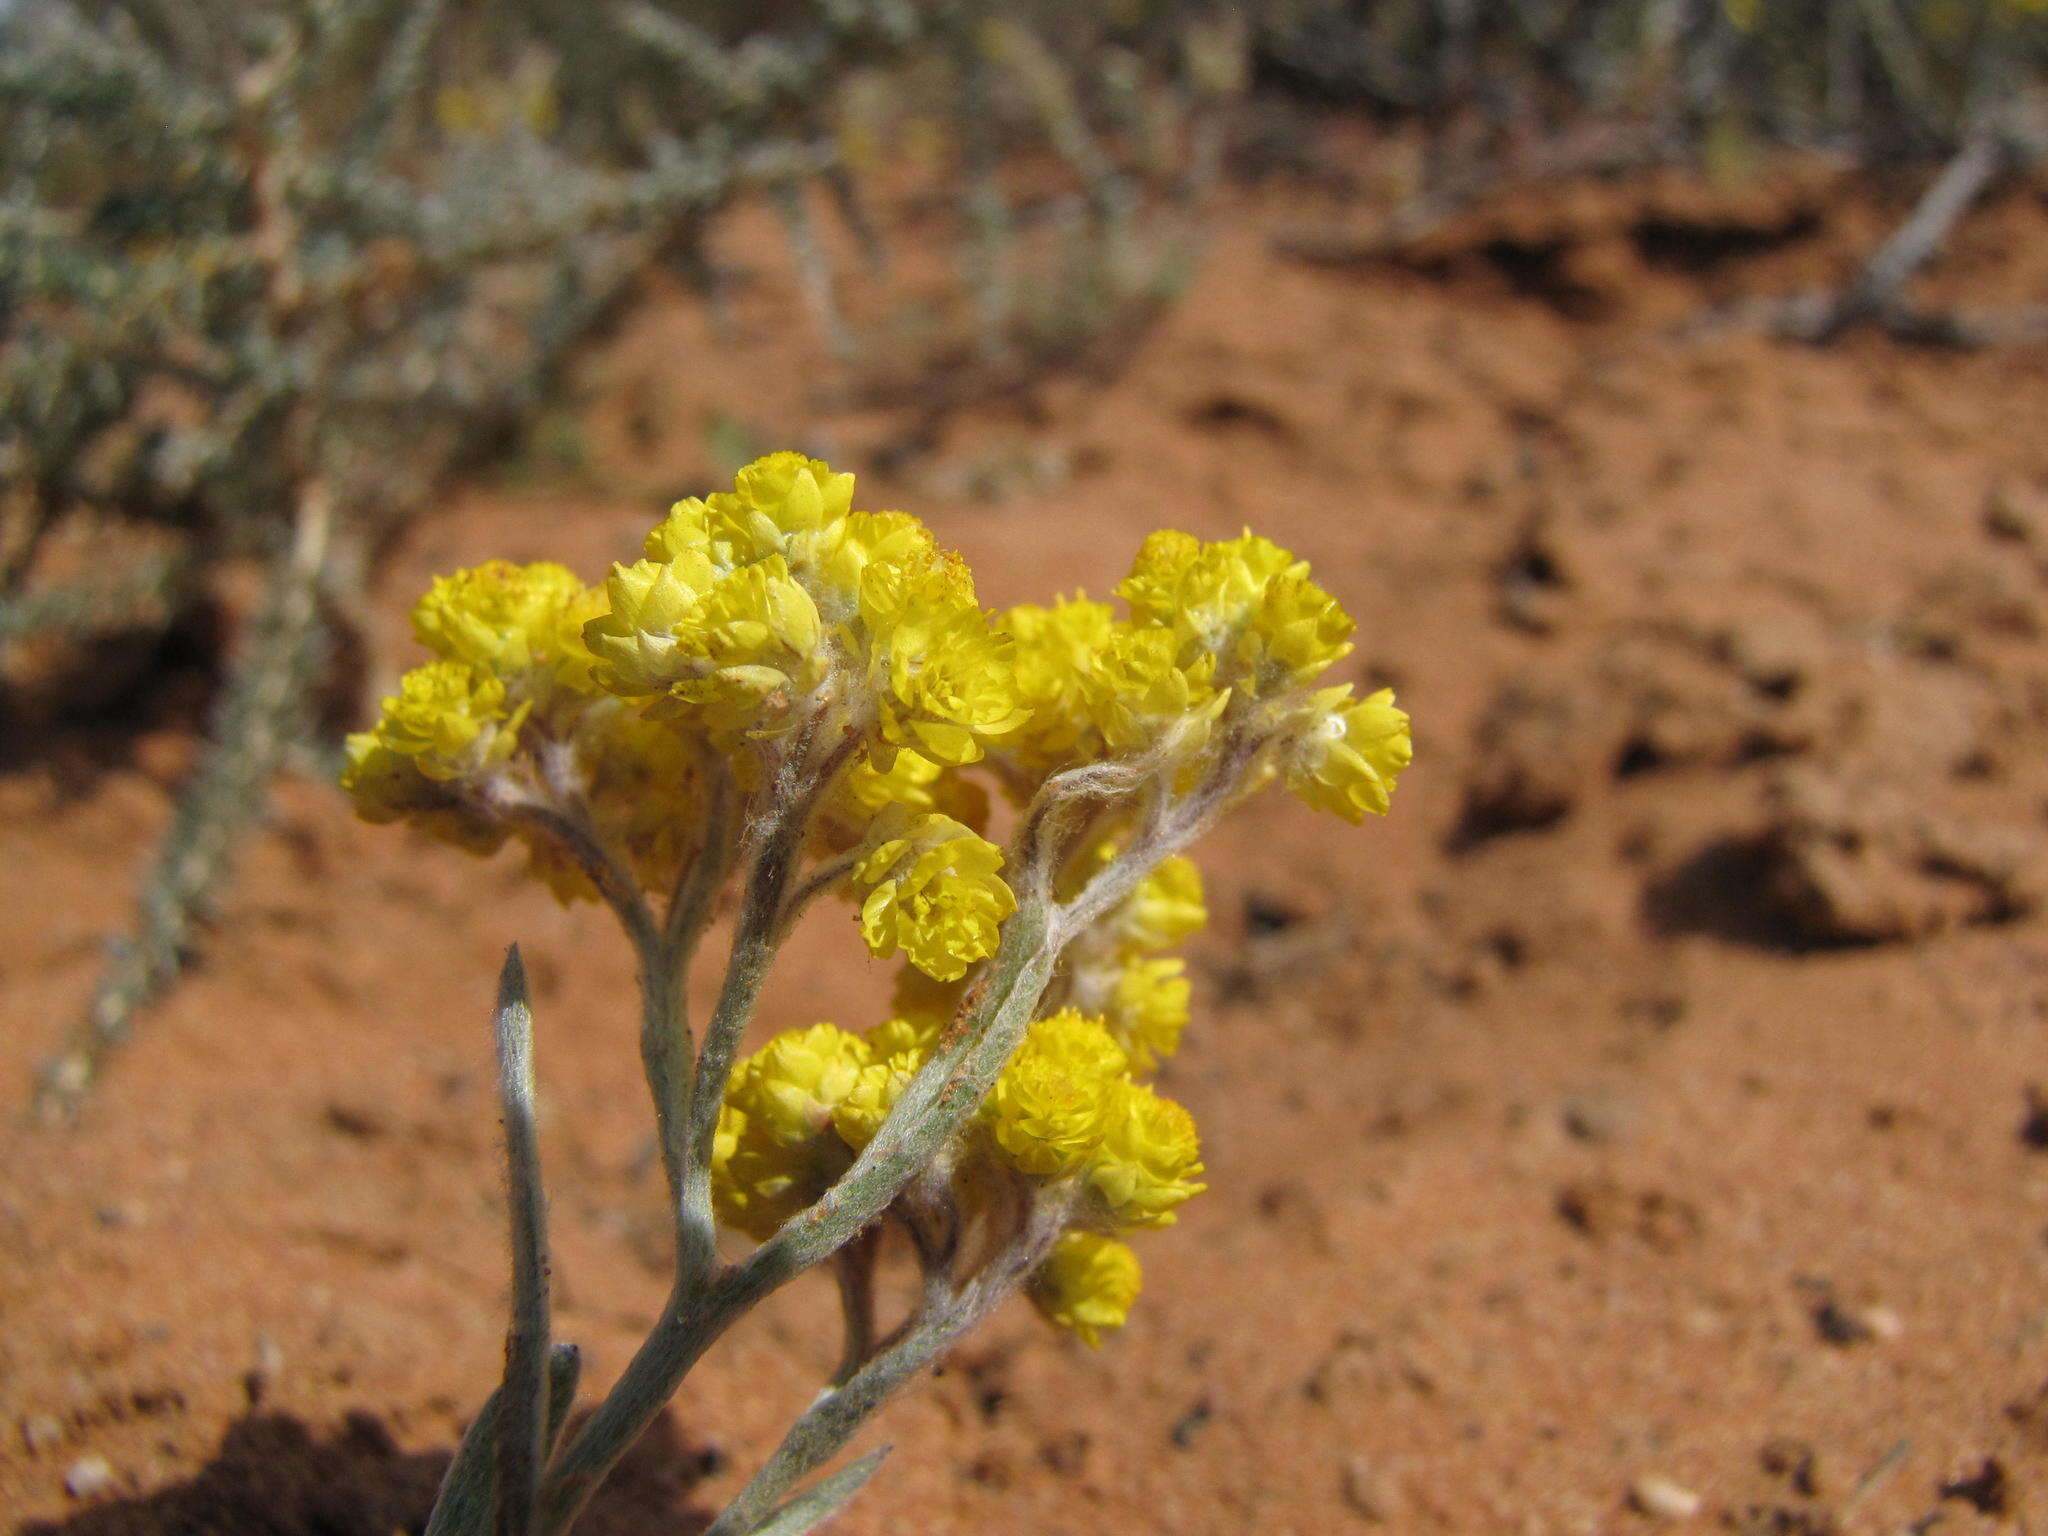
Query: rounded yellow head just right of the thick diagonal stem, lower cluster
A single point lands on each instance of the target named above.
(1048, 1111)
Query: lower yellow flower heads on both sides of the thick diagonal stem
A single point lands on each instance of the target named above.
(1066, 1111)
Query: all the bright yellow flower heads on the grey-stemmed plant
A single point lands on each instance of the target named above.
(775, 632)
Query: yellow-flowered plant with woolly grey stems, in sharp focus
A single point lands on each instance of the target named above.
(794, 701)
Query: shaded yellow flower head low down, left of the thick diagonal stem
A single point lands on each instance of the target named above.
(777, 1150)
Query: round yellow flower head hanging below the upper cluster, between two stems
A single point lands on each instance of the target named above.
(933, 892)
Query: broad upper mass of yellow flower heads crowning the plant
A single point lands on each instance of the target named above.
(777, 613)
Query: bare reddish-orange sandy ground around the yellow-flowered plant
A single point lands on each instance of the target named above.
(1648, 1099)
